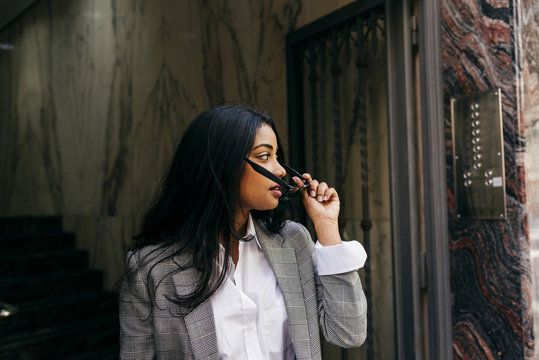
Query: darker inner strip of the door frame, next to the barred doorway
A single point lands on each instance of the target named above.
(403, 182)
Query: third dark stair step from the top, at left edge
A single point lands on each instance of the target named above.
(18, 264)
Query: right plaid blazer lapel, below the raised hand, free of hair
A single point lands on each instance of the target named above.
(284, 263)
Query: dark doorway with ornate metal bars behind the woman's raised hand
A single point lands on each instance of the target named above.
(340, 71)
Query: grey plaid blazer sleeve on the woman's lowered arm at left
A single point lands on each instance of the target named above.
(136, 325)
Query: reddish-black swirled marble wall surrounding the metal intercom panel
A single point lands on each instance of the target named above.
(490, 265)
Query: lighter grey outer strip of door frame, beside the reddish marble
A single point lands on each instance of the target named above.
(435, 181)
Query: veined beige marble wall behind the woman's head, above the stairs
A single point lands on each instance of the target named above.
(95, 95)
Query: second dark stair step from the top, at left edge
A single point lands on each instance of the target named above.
(46, 241)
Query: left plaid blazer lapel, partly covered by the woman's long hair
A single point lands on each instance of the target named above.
(199, 322)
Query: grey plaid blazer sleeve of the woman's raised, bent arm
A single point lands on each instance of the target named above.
(342, 306)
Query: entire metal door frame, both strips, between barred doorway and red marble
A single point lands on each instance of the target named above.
(408, 264)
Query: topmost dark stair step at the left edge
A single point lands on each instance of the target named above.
(30, 224)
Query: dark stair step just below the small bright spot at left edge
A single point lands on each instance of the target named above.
(59, 311)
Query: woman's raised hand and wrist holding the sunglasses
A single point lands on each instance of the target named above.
(322, 205)
